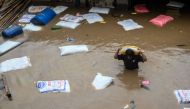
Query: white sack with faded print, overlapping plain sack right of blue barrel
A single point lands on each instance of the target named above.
(71, 18)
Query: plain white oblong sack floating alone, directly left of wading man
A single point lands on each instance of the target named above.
(71, 49)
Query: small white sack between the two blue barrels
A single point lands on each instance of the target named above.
(31, 27)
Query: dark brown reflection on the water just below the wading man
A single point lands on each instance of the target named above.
(130, 79)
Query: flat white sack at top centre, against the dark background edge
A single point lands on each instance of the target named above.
(99, 10)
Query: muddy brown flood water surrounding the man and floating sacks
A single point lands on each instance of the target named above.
(167, 67)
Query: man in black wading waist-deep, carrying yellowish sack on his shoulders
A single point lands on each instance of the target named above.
(131, 56)
